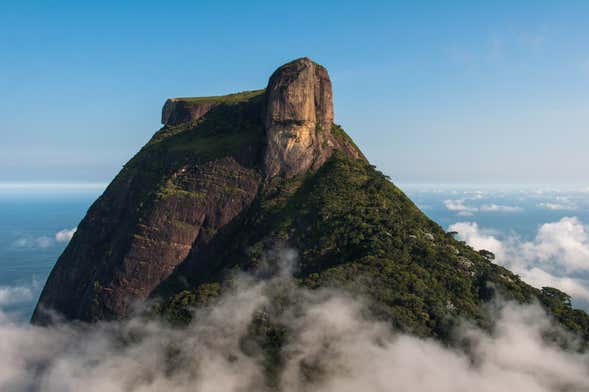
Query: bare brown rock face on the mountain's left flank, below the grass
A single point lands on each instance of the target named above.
(113, 263)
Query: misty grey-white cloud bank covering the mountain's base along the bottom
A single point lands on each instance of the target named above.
(332, 347)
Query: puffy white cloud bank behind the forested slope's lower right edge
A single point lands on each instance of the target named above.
(558, 256)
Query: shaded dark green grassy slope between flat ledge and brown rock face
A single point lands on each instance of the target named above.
(224, 132)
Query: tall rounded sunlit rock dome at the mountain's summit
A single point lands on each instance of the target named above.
(298, 119)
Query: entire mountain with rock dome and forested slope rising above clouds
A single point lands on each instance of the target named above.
(231, 182)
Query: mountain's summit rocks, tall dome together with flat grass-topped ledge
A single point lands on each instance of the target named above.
(297, 115)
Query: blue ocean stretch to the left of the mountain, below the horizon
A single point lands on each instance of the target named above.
(35, 224)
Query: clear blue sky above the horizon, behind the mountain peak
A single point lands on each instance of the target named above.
(432, 91)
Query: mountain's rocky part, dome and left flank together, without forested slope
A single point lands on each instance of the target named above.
(190, 181)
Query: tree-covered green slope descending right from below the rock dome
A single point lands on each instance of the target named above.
(356, 231)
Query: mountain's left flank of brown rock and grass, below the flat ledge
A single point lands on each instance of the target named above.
(169, 200)
